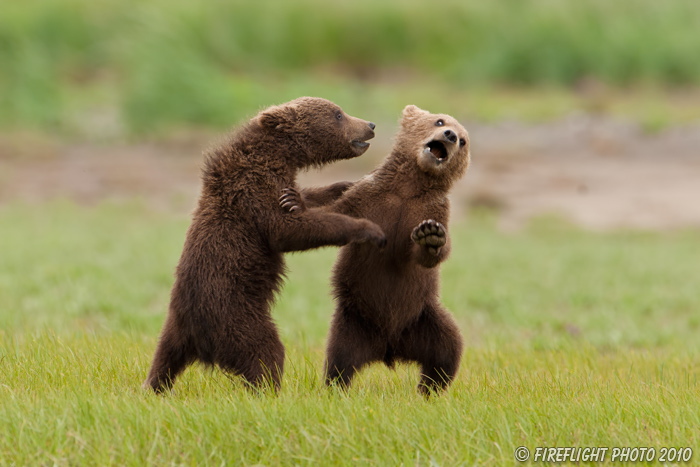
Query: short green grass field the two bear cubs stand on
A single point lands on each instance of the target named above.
(573, 339)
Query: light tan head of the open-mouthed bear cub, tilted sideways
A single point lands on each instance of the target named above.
(439, 143)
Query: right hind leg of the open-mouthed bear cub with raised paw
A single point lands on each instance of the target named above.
(435, 342)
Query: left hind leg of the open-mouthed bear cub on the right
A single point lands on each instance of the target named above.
(351, 345)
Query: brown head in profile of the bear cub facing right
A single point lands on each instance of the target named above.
(320, 128)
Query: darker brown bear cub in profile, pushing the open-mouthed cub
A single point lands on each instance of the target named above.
(232, 264)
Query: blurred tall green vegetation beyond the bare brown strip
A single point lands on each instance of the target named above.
(67, 63)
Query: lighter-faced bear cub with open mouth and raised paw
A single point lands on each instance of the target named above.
(387, 302)
